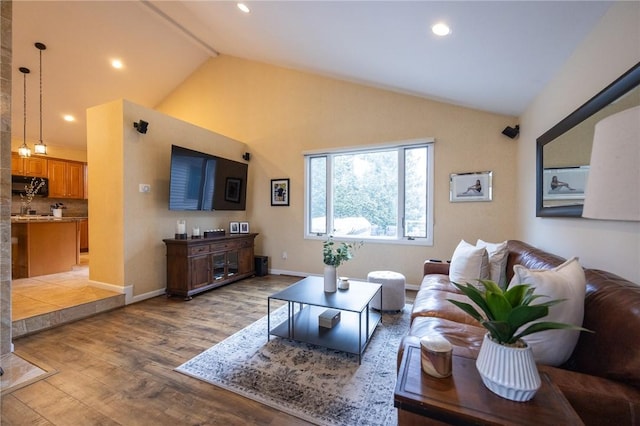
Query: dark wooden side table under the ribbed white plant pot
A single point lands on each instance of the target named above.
(462, 399)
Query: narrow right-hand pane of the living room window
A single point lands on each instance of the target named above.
(415, 193)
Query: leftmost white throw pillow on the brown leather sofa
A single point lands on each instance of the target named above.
(469, 264)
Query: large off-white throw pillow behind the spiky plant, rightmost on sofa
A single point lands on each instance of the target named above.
(567, 281)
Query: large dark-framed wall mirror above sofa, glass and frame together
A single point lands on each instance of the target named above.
(564, 151)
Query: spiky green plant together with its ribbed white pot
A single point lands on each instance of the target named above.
(508, 315)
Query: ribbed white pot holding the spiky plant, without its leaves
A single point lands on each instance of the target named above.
(508, 372)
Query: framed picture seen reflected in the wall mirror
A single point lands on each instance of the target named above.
(564, 183)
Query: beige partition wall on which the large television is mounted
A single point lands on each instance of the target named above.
(127, 226)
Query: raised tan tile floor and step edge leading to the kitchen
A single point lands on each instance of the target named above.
(46, 301)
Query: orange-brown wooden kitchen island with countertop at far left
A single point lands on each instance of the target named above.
(42, 245)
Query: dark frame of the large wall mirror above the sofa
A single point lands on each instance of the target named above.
(625, 83)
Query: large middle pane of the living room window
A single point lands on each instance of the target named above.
(365, 193)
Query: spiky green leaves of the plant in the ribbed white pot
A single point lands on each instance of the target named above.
(505, 312)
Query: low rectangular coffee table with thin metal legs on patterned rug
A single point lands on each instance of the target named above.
(306, 300)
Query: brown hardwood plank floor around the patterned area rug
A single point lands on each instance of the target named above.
(116, 368)
